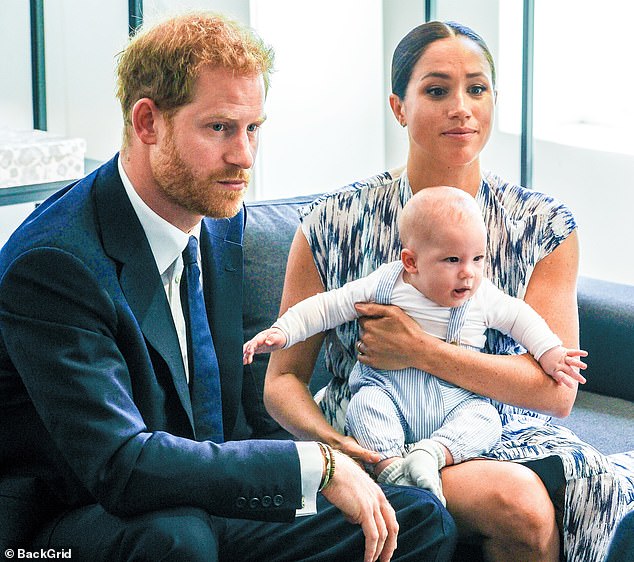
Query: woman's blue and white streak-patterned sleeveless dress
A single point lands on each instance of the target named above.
(354, 230)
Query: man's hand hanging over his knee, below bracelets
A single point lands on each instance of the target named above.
(363, 502)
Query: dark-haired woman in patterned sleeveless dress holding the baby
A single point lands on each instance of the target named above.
(443, 84)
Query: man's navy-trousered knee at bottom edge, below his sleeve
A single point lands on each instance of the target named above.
(171, 535)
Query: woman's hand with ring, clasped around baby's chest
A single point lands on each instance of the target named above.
(389, 338)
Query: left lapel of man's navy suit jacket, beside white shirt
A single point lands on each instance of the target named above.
(125, 241)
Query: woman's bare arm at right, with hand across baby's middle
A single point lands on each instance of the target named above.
(391, 340)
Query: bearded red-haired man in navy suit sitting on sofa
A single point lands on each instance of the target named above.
(101, 447)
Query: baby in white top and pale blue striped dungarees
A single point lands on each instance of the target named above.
(417, 422)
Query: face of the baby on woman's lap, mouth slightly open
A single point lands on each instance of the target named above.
(450, 263)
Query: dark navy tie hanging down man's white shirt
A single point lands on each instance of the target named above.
(204, 374)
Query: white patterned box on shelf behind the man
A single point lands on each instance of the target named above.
(33, 157)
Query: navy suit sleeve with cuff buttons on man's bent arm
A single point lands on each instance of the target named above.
(65, 335)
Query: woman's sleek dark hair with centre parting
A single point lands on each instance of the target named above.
(414, 44)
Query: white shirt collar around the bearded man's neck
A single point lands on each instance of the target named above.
(167, 242)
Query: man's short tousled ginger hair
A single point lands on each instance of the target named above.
(164, 61)
